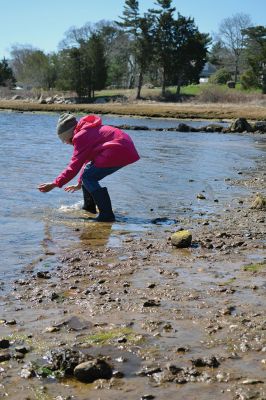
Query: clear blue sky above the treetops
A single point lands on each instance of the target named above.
(42, 24)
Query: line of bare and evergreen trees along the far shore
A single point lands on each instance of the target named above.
(160, 47)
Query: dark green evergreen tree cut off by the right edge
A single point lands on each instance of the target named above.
(255, 39)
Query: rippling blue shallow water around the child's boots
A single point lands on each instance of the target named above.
(33, 223)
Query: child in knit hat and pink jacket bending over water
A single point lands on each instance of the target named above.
(99, 150)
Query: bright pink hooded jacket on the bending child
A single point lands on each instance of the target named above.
(104, 145)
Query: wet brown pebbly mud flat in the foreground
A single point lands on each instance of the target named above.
(176, 323)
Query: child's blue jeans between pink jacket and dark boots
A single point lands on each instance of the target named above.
(92, 175)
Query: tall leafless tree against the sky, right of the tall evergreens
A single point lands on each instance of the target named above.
(232, 37)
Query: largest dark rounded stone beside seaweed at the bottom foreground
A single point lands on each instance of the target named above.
(90, 371)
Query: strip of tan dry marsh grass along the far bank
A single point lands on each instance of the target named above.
(164, 110)
